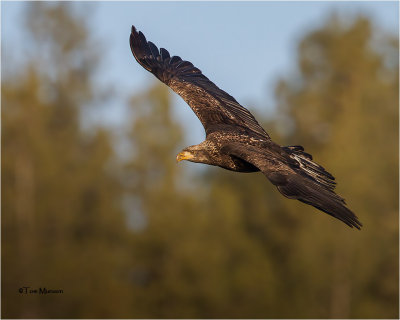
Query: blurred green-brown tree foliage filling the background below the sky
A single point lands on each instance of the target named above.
(142, 238)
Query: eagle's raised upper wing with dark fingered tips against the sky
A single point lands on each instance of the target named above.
(213, 106)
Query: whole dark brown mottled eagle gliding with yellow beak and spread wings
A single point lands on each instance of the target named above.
(235, 140)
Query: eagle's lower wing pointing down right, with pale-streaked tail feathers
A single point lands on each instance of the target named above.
(307, 182)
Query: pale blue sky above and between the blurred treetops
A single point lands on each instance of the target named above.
(244, 47)
